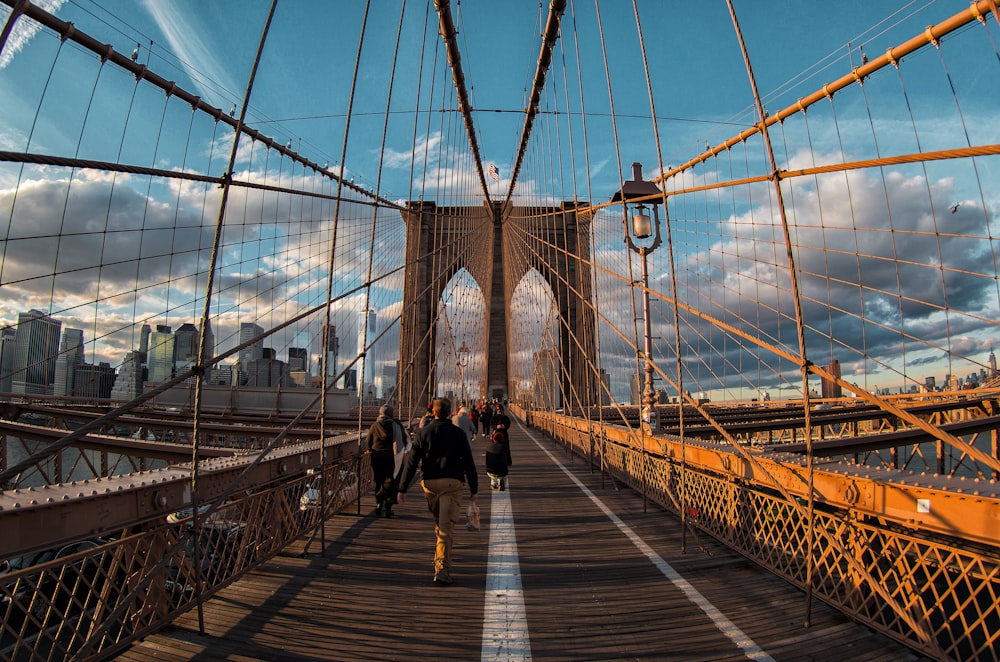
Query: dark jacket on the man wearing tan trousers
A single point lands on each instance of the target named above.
(441, 450)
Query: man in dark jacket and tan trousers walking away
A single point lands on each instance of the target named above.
(442, 452)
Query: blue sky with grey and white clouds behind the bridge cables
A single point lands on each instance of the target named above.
(894, 282)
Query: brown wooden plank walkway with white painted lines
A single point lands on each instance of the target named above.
(573, 569)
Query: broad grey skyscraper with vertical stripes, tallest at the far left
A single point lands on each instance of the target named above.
(36, 347)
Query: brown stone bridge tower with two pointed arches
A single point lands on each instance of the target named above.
(435, 252)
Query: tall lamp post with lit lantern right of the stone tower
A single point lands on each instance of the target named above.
(643, 227)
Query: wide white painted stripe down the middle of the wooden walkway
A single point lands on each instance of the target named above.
(505, 624)
